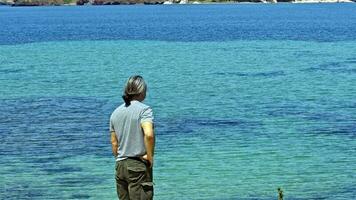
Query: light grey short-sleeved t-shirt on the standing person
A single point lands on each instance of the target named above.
(126, 122)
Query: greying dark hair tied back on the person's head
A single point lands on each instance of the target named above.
(135, 86)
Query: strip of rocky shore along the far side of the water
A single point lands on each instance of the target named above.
(151, 2)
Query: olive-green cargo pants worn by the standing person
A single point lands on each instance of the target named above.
(133, 179)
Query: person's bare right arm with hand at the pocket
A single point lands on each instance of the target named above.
(149, 140)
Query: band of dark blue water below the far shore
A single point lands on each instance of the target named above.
(323, 22)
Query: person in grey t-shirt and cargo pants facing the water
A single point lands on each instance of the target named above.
(133, 142)
